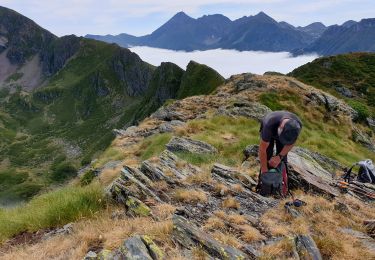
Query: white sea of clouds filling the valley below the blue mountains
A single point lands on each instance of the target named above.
(227, 62)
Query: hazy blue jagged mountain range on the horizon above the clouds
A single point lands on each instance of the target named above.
(257, 33)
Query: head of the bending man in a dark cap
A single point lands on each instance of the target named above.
(288, 131)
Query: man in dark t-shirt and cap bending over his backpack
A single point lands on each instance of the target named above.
(280, 129)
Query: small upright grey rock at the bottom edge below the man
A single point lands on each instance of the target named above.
(307, 248)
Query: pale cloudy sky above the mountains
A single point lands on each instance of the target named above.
(139, 17)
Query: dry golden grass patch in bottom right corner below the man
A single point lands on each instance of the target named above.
(320, 218)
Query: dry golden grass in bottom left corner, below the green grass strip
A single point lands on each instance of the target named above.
(102, 231)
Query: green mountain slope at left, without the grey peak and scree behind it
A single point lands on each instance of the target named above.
(103, 87)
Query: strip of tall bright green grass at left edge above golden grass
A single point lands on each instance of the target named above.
(51, 209)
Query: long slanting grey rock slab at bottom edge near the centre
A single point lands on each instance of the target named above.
(189, 236)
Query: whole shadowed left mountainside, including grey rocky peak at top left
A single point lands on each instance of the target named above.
(60, 99)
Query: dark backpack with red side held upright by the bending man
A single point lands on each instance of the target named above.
(274, 182)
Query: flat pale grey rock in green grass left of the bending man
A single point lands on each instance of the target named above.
(181, 144)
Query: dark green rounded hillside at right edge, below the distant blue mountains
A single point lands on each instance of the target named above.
(355, 71)
